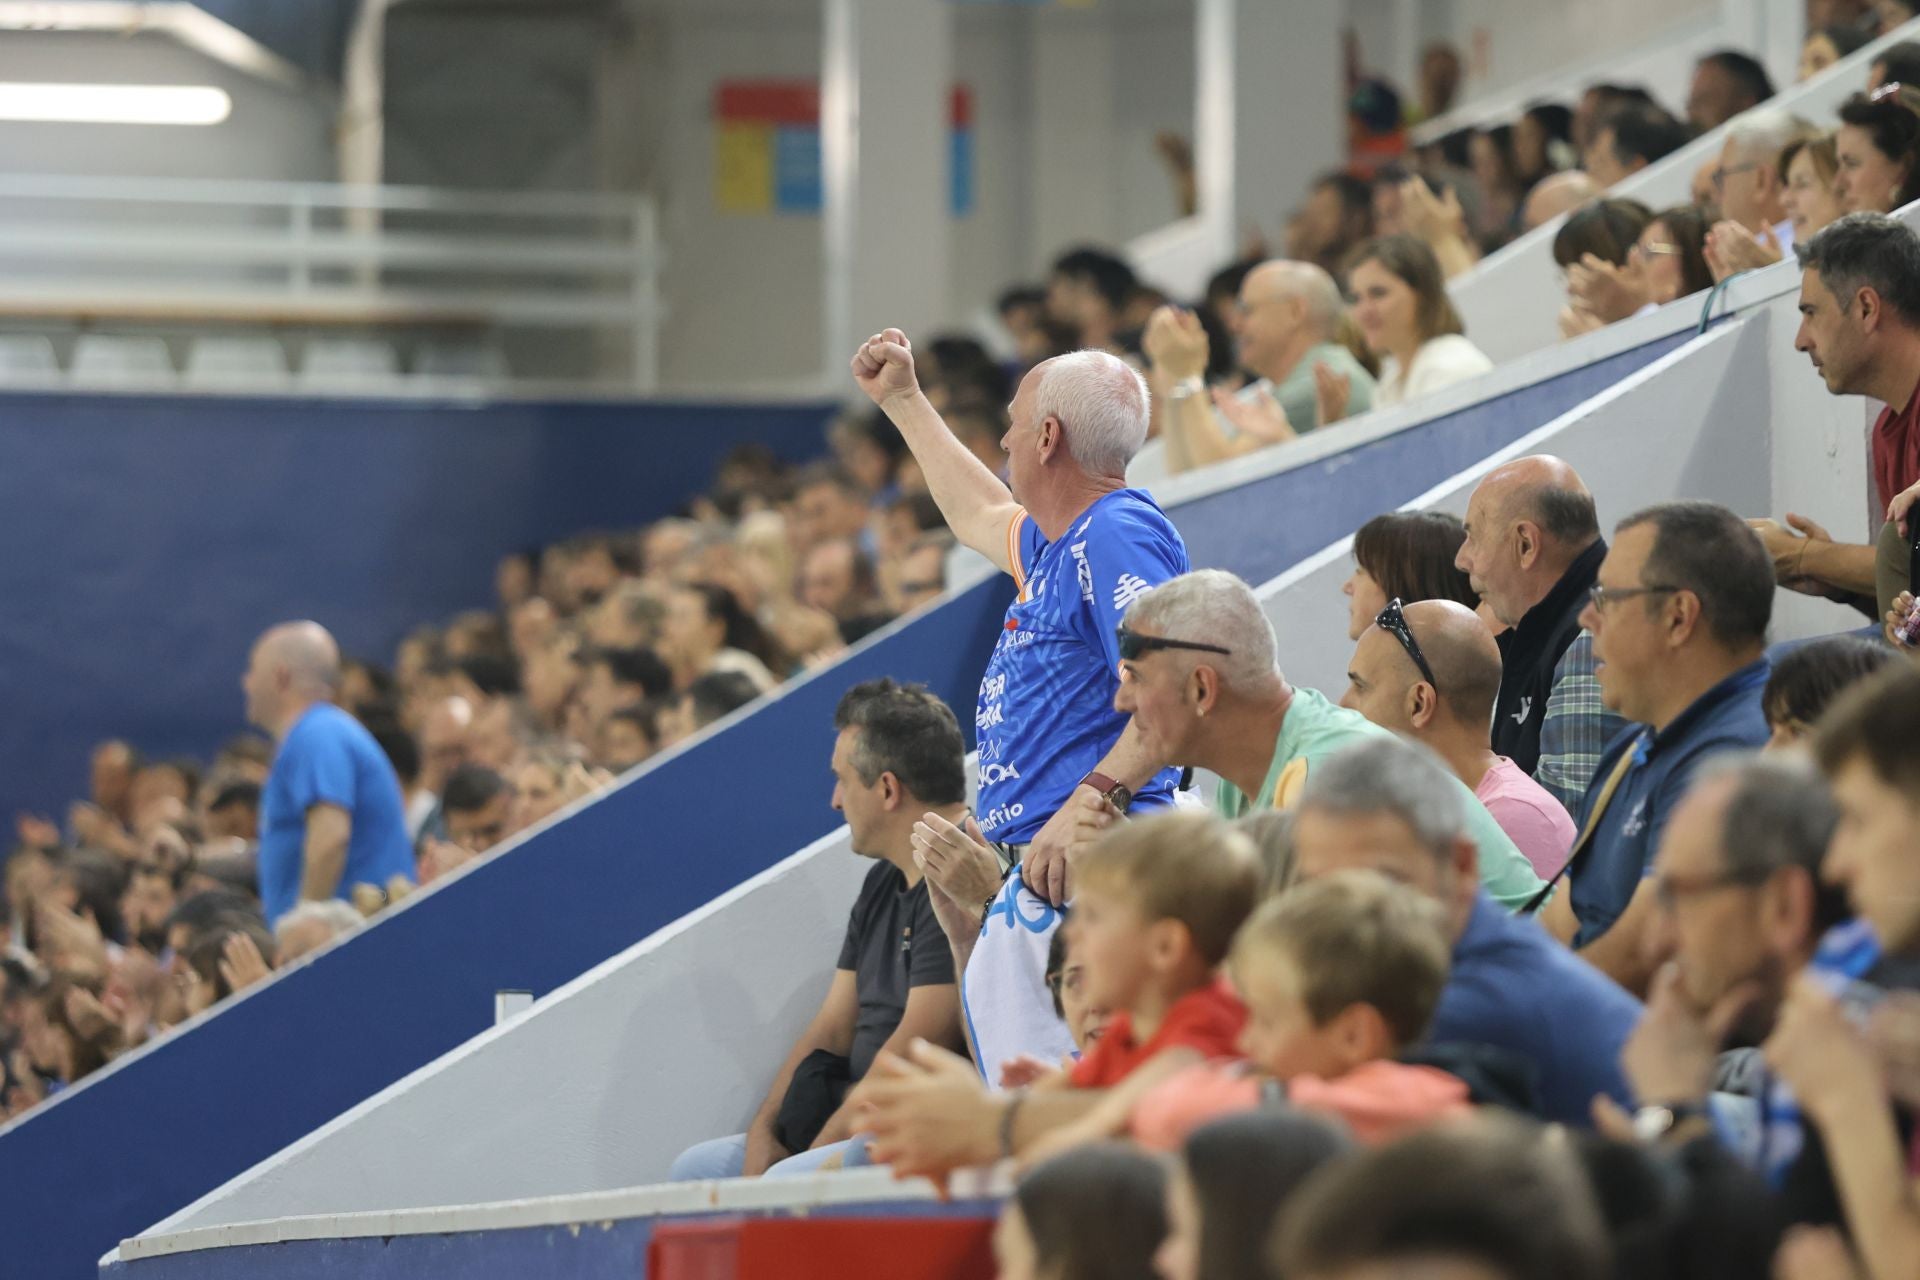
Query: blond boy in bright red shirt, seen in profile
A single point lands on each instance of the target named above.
(1155, 911)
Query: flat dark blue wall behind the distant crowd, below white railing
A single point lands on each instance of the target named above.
(145, 542)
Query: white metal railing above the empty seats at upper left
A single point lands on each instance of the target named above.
(322, 258)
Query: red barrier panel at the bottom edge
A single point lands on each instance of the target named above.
(823, 1250)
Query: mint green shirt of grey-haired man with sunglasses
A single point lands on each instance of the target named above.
(1314, 730)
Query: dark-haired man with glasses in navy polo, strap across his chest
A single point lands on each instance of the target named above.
(1679, 623)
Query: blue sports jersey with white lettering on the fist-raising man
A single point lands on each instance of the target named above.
(1045, 713)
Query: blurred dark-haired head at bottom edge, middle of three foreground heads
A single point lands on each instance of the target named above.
(1232, 1181)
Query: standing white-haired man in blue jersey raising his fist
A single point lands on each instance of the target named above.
(1057, 763)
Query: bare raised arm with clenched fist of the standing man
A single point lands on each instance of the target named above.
(978, 506)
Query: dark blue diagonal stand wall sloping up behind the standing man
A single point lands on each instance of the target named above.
(149, 1139)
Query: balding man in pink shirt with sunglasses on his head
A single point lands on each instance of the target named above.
(1431, 675)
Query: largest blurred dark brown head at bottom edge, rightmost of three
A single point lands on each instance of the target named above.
(1495, 1200)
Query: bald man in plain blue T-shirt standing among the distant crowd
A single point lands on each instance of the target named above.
(331, 815)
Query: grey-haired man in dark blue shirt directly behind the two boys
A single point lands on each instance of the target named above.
(1389, 807)
